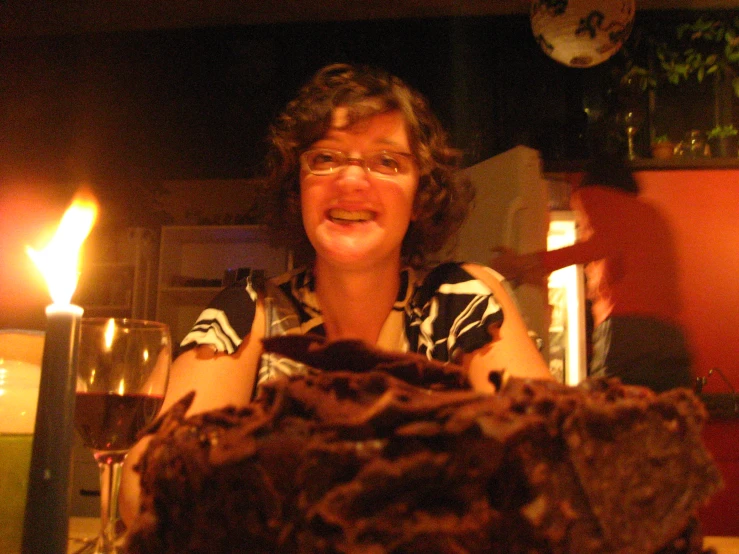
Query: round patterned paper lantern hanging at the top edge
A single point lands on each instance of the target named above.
(581, 33)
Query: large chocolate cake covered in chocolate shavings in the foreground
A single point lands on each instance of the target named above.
(380, 452)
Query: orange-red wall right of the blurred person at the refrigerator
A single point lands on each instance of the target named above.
(702, 207)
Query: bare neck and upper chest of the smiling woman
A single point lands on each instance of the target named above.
(356, 303)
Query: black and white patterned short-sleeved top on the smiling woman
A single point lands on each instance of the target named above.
(441, 314)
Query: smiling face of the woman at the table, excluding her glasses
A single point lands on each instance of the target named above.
(351, 215)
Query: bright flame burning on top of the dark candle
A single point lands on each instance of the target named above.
(58, 261)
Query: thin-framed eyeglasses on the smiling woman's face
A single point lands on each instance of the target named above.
(325, 161)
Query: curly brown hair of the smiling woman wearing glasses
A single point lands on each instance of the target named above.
(442, 198)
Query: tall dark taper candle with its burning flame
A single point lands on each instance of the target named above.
(46, 522)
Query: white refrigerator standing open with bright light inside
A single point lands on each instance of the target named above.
(512, 209)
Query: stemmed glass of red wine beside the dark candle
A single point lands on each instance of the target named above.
(122, 375)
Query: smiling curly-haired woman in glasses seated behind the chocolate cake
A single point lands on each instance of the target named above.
(363, 190)
